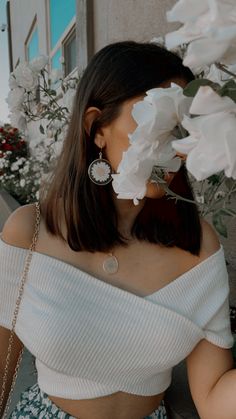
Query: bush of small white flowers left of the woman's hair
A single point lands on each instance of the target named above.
(41, 102)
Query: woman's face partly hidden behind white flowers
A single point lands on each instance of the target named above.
(117, 141)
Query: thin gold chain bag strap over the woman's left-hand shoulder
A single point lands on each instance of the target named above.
(17, 306)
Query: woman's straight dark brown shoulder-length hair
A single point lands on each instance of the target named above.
(118, 72)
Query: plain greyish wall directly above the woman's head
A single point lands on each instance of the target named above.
(138, 20)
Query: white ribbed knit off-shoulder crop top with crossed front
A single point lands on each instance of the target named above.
(91, 338)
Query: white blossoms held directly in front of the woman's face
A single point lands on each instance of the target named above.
(150, 144)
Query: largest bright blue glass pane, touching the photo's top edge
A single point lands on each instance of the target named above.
(61, 14)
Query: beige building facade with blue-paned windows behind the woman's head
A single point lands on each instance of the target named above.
(71, 31)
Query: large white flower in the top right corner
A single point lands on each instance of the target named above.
(209, 26)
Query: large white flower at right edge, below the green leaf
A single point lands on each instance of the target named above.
(211, 144)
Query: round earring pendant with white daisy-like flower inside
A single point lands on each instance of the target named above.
(100, 172)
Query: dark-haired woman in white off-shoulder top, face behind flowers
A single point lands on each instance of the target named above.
(116, 294)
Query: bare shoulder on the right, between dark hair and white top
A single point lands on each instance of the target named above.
(210, 241)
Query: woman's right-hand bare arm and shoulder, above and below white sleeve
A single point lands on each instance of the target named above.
(211, 377)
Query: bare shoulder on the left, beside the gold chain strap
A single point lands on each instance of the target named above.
(19, 227)
